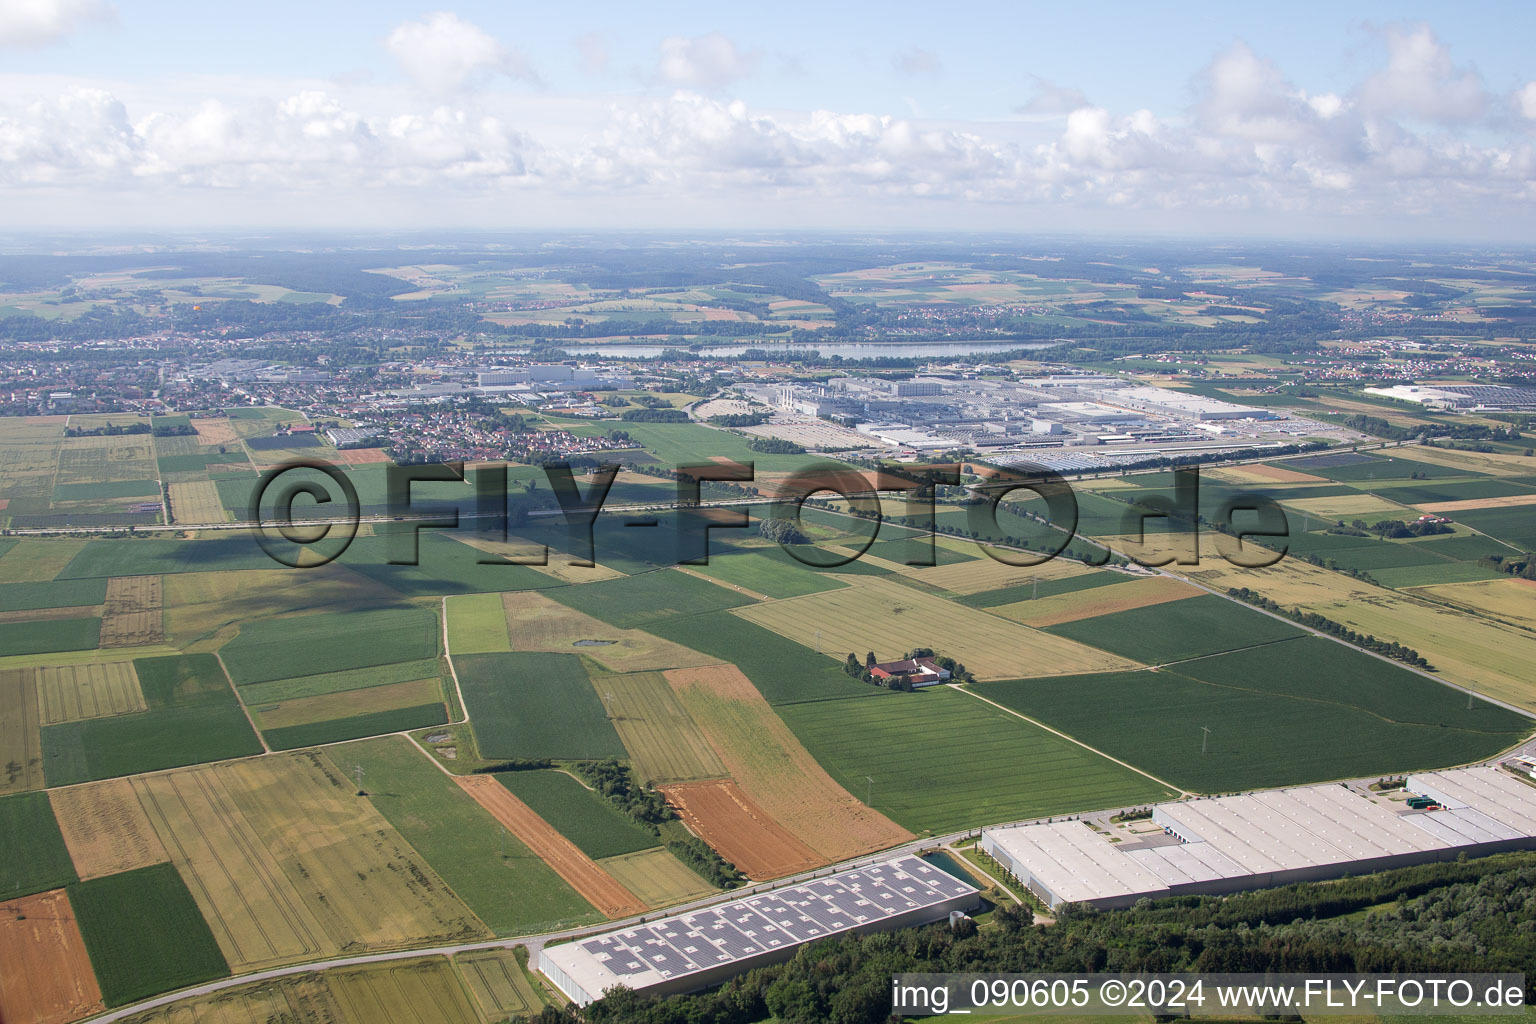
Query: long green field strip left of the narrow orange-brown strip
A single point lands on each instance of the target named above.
(511, 890)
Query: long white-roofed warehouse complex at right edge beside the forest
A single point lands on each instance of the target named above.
(1271, 839)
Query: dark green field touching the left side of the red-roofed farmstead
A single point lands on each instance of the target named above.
(781, 670)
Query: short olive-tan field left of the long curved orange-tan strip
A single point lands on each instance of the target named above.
(663, 741)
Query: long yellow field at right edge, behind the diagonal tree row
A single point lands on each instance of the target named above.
(1486, 656)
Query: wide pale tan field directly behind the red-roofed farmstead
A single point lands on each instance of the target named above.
(887, 618)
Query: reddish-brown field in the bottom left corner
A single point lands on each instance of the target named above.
(45, 973)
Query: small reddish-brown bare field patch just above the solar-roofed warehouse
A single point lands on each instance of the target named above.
(747, 836)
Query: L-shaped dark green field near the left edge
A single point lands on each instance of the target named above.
(193, 719)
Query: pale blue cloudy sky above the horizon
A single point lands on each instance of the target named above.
(1328, 121)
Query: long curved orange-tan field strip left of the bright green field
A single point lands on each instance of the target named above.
(772, 767)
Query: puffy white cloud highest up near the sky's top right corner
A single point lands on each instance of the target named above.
(1422, 82)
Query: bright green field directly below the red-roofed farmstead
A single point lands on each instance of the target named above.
(942, 761)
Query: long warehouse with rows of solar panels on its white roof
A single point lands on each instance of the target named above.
(695, 951)
